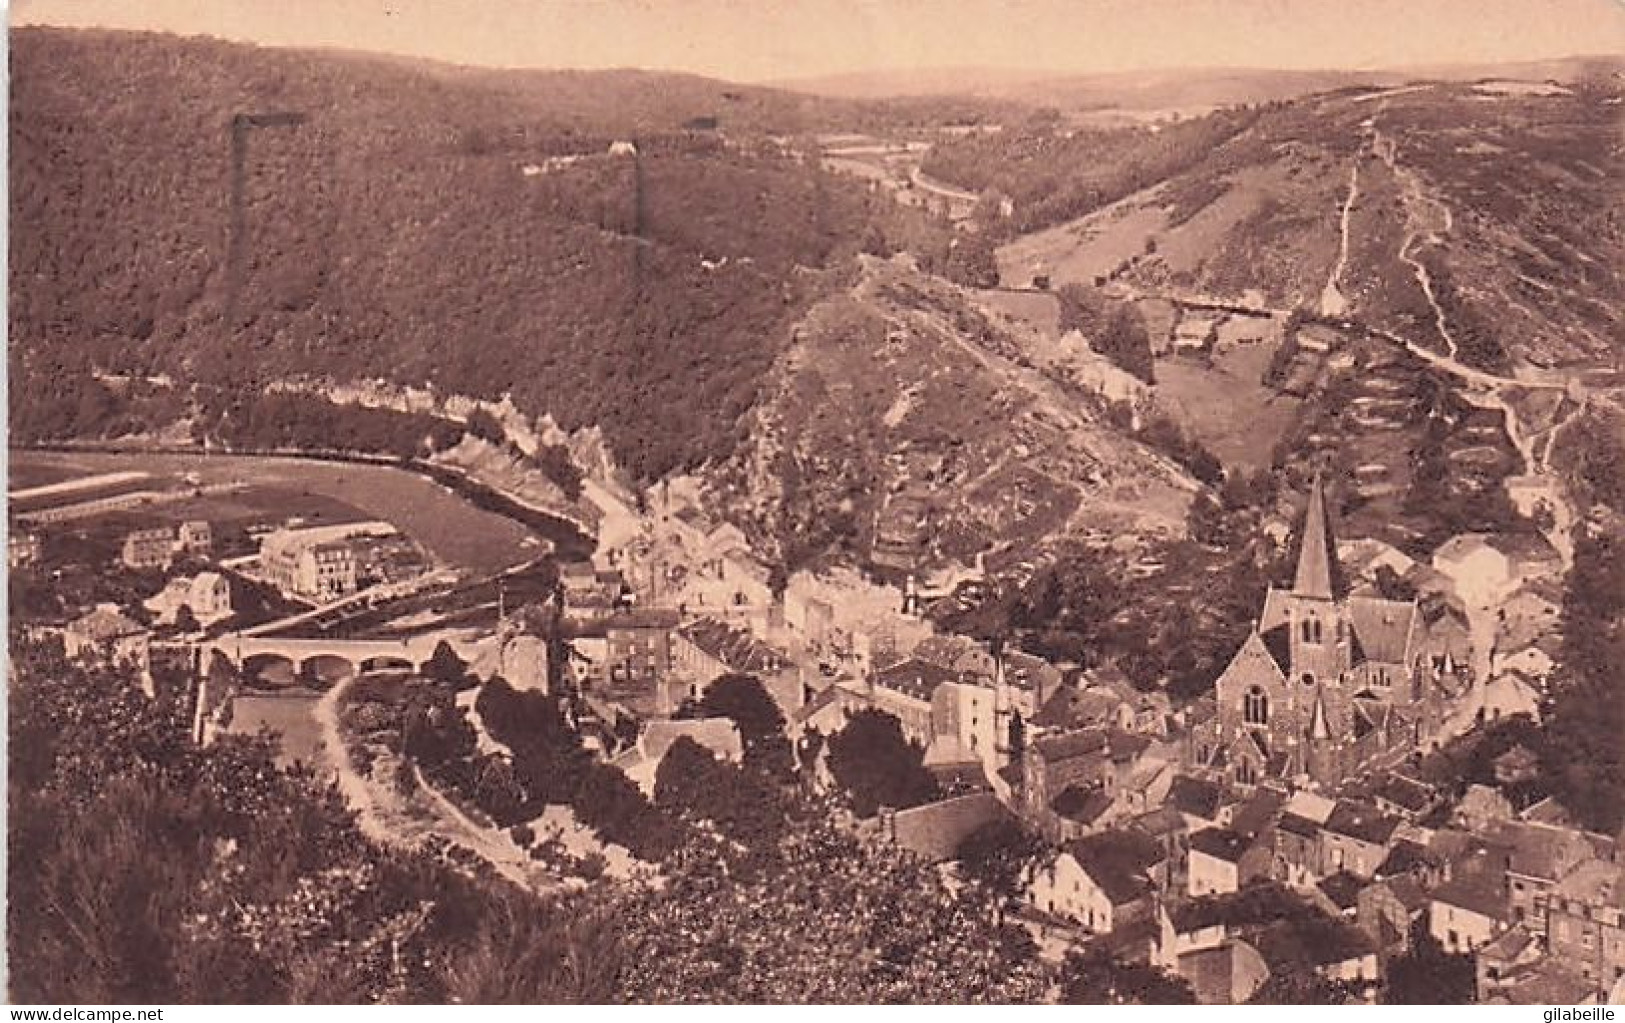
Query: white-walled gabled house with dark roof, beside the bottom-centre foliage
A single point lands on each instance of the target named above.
(1103, 883)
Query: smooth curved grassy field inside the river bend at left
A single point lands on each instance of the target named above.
(453, 530)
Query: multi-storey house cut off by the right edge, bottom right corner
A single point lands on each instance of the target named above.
(1587, 923)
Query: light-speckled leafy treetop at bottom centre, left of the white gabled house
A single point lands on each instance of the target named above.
(825, 918)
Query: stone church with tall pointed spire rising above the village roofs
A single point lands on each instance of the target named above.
(1328, 681)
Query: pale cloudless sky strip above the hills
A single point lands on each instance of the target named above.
(766, 40)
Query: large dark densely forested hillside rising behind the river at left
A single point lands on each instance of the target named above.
(414, 228)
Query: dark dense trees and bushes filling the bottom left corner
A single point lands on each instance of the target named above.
(145, 870)
